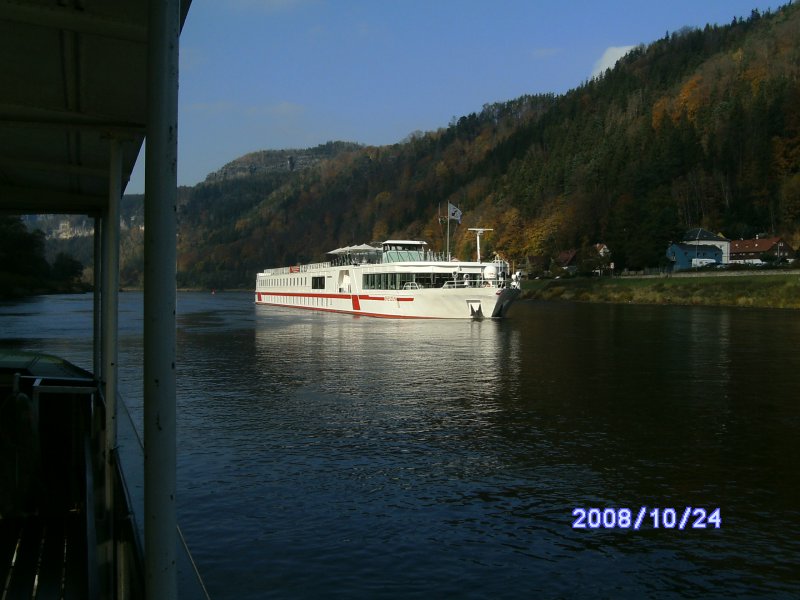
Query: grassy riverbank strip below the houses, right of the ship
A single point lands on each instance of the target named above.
(745, 289)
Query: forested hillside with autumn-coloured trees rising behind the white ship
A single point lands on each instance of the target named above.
(700, 128)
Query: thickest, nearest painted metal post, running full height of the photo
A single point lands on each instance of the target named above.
(161, 163)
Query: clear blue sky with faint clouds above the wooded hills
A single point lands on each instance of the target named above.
(279, 74)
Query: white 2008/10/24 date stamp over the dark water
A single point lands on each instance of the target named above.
(657, 518)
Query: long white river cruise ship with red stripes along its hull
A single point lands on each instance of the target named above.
(399, 279)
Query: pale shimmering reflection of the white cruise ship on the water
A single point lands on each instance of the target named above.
(400, 362)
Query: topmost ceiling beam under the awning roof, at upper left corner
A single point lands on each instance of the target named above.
(71, 19)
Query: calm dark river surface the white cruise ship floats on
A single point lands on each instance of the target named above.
(325, 455)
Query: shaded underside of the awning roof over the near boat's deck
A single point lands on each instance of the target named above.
(73, 77)
